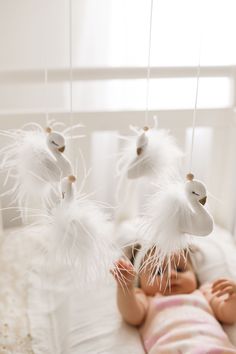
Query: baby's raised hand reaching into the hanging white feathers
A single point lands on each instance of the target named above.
(124, 273)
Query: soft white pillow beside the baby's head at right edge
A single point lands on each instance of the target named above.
(215, 258)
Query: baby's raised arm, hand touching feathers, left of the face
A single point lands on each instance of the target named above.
(132, 302)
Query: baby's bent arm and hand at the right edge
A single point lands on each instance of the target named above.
(223, 300)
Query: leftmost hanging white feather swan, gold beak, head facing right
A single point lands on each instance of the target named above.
(35, 162)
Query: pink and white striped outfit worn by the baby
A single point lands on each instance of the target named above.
(183, 324)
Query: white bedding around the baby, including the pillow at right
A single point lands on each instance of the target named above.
(82, 321)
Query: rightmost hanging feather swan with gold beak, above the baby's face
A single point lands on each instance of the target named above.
(174, 214)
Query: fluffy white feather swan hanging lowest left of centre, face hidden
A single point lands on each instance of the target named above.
(79, 236)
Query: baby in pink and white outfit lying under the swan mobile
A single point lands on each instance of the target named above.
(173, 314)
